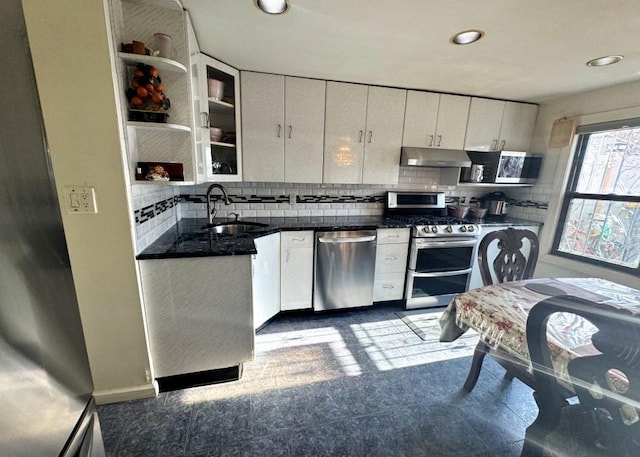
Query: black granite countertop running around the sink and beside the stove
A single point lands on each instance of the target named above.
(187, 238)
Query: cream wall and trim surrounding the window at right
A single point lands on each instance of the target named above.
(616, 102)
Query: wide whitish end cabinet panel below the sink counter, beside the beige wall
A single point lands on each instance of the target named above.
(198, 312)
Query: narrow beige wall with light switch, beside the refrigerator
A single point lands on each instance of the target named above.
(71, 56)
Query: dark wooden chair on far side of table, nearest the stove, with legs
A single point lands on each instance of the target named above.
(510, 264)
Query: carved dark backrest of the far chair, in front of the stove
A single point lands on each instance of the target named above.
(511, 263)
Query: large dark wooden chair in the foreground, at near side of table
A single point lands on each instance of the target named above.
(606, 421)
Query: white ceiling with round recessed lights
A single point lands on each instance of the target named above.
(532, 50)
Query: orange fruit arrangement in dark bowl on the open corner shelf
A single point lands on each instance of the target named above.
(147, 100)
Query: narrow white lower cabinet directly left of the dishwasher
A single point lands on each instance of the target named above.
(296, 264)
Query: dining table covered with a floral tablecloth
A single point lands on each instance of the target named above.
(499, 314)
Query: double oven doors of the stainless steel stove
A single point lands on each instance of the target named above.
(439, 268)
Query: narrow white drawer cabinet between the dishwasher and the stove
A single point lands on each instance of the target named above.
(391, 264)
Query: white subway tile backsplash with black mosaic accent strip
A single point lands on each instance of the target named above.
(158, 207)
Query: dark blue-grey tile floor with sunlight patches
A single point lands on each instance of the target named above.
(353, 383)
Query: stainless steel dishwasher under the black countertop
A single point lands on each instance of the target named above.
(345, 265)
